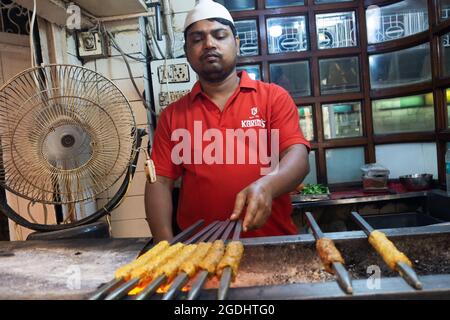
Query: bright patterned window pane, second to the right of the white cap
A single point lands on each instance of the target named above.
(287, 34)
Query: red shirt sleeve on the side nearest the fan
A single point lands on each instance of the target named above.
(162, 149)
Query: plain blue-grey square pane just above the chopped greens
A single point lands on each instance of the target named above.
(344, 164)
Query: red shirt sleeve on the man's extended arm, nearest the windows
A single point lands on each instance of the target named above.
(285, 118)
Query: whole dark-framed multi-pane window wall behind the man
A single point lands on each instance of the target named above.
(353, 101)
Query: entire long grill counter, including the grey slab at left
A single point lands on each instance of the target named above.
(271, 268)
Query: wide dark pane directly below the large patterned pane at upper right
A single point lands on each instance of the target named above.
(400, 68)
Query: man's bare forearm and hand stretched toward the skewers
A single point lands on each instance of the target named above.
(258, 196)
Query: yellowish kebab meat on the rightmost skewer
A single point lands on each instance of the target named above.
(390, 254)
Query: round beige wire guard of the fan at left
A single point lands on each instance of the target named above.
(67, 134)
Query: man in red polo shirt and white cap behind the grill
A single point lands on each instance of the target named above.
(223, 139)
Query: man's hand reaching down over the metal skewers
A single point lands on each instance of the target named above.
(258, 200)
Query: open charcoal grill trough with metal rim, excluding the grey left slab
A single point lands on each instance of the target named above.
(290, 268)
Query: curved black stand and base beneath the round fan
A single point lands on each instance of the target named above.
(88, 227)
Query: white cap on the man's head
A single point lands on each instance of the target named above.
(207, 9)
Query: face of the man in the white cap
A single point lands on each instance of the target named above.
(211, 49)
